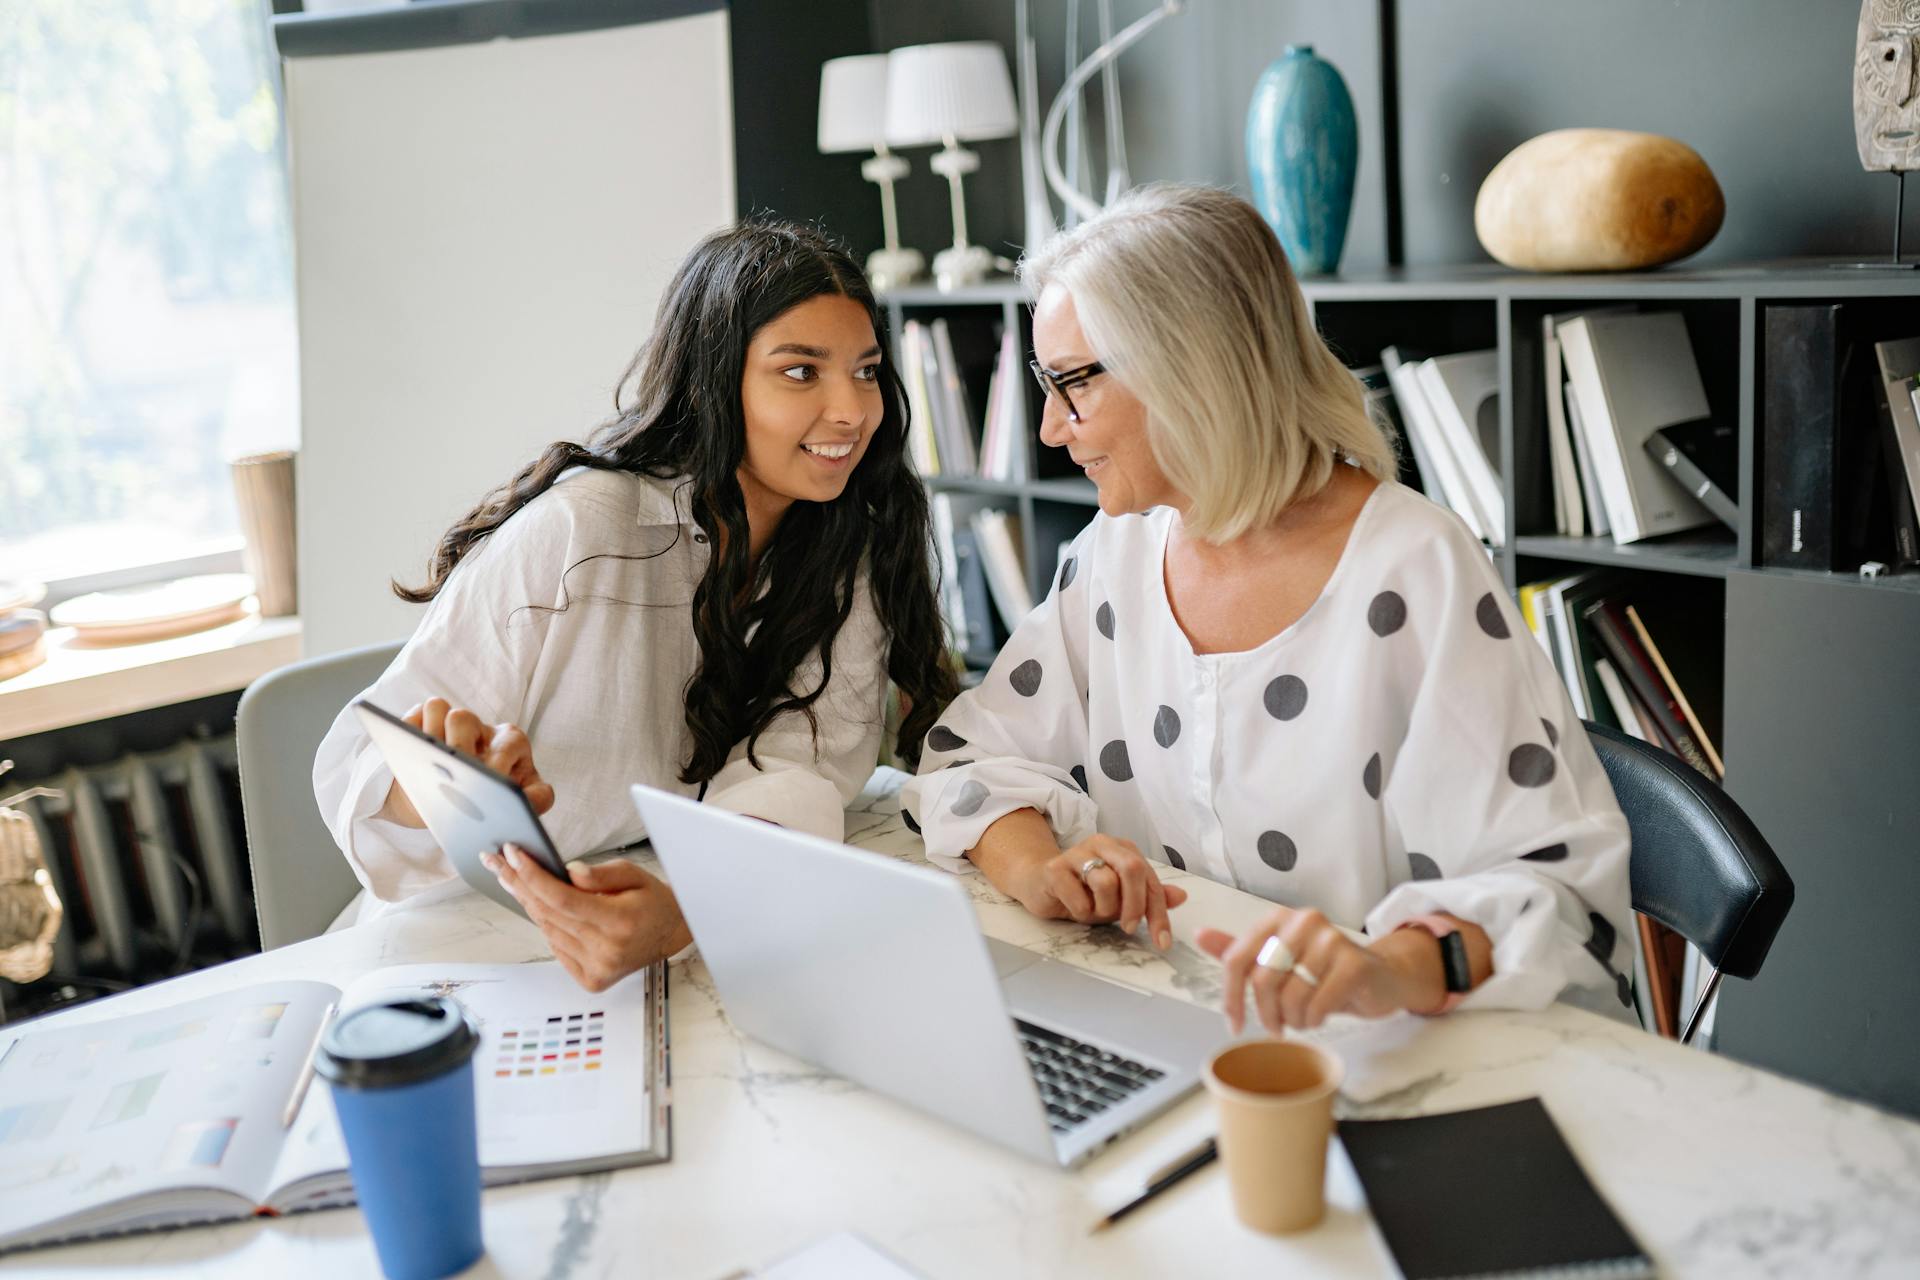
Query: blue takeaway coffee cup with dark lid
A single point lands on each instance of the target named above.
(404, 1087)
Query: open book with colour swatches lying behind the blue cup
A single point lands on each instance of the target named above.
(203, 1112)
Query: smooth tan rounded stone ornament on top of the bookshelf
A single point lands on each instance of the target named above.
(1598, 201)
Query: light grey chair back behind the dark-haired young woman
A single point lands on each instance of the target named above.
(300, 878)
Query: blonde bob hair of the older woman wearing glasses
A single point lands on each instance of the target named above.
(1188, 298)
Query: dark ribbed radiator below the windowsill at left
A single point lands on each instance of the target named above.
(116, 840)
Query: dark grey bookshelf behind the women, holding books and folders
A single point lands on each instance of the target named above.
(1819, 673)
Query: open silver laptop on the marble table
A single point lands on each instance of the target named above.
(876, 970)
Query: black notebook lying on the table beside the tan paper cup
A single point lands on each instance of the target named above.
(1487, 1193)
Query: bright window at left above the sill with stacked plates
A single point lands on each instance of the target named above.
(147, 295)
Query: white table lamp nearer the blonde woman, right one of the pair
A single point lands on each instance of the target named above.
(951, 95)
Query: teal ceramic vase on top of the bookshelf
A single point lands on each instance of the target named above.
(1303, 149)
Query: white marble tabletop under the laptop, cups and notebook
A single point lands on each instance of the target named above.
(1719, 1170)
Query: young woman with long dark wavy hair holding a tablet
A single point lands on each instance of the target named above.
(709, 596)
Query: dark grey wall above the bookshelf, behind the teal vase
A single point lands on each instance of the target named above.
(1762, 89)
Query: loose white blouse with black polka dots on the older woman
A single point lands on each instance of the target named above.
(1404, 747)
